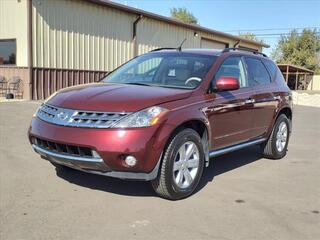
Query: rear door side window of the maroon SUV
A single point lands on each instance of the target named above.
(258, 74)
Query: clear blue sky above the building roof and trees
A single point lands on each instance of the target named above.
(229, 15)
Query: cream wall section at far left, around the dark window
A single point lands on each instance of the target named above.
(13, 25)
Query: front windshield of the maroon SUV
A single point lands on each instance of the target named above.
(175, 70)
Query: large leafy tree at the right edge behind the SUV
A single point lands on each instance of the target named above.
(301, 49)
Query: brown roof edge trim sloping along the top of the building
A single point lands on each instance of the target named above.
(173, 21)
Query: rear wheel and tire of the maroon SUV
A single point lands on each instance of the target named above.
(270, 149)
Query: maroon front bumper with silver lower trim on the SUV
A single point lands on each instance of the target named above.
(112, 145)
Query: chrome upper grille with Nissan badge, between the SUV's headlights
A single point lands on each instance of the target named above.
(78, 118)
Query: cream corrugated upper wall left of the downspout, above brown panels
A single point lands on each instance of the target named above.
(74, 34)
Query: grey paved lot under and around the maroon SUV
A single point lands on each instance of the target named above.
(242, 196)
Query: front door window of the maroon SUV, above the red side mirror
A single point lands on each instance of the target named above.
(233, 67)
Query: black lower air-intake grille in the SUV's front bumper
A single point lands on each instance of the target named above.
(63, 148)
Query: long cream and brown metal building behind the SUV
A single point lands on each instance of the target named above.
(54, 44)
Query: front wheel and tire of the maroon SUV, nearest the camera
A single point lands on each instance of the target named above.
(168, 184)
